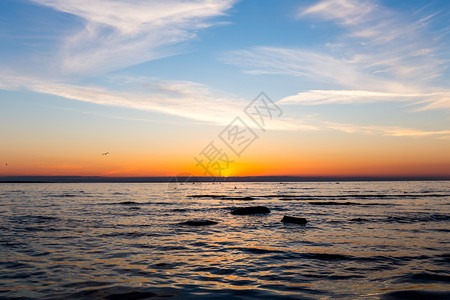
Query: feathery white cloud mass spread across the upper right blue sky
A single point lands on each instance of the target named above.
(381, 56)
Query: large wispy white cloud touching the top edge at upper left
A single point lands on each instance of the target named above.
(116, 34)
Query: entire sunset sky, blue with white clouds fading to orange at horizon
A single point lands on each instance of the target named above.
(224, 88)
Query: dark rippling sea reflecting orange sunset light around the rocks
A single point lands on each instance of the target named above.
(362, 240)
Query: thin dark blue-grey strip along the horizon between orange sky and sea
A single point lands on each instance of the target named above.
(184, 179)
